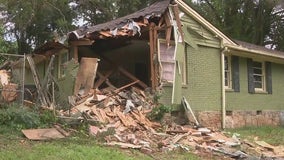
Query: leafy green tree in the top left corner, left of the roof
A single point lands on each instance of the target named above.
(33, 22)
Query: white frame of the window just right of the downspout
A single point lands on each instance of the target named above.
(228, 71)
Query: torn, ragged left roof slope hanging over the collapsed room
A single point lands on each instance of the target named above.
(154, 10)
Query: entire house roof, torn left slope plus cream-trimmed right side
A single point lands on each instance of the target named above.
(156, 10)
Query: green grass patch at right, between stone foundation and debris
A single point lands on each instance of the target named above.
(269, 134)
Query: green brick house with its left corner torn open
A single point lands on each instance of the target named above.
(170, 49)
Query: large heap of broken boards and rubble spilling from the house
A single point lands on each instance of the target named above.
(121, 120)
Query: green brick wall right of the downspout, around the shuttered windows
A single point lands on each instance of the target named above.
(258, 101)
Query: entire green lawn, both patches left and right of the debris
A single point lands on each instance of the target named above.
(13, 145)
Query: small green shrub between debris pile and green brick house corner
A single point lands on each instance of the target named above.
(158, 112)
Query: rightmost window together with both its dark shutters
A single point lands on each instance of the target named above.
(259, 76)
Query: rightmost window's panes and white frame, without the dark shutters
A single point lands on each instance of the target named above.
(258, 75)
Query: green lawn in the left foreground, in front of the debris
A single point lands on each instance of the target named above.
(13, 145)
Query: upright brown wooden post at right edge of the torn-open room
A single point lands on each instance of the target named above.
(151, 42)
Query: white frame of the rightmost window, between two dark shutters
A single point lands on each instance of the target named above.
(262, 75)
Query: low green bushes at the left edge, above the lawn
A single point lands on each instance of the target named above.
(23, 118)
